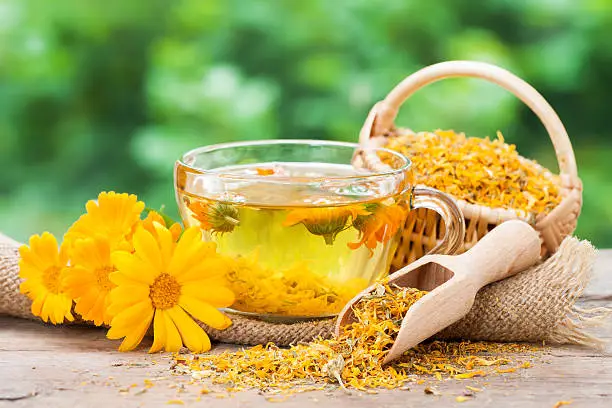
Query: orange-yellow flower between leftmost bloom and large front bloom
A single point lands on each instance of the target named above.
(87, 281)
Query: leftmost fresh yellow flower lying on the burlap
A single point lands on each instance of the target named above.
(41, 266)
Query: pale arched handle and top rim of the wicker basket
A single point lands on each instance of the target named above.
(380, 124)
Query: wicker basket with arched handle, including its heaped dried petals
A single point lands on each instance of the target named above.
(491, 182)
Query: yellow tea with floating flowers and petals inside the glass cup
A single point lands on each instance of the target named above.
(295, 252)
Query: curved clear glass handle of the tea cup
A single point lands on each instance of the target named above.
(443, 204)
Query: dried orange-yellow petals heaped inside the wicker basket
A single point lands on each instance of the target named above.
(479, 171)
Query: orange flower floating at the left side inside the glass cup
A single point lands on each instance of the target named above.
(215, 217)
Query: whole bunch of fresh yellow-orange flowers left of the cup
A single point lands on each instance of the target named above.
(117, 269)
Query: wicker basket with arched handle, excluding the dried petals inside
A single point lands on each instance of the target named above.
(423, 228)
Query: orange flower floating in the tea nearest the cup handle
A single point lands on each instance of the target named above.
(380, 226)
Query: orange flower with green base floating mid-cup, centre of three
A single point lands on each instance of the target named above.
(324, 221)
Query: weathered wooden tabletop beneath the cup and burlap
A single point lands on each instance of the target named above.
(76, 366)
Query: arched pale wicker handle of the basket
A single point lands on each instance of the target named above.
(382, 116)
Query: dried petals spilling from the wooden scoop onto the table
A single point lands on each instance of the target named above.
(353, 359)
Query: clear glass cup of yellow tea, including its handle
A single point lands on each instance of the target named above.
(305, 224)
